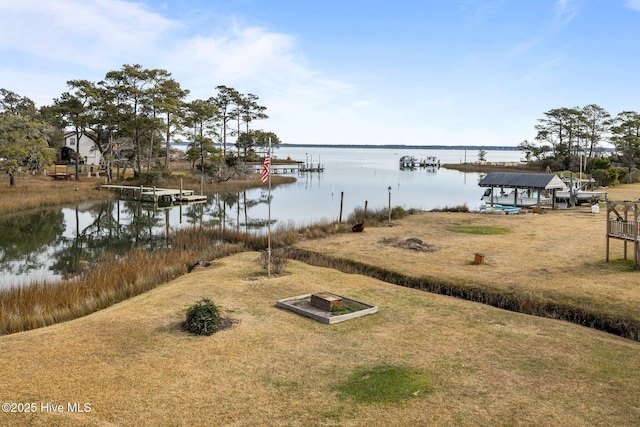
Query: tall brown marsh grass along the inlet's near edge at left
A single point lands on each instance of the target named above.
(110, 280)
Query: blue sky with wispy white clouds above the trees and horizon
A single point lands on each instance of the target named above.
(417, 72)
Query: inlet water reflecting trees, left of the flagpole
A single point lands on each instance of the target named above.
(58, 243)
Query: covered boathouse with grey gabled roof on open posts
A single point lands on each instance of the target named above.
(521, 189)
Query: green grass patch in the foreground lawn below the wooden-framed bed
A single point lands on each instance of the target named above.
(385, 384)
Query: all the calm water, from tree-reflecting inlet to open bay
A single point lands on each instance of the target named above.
(54, 243)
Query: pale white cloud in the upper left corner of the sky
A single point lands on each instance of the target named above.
(79, 32)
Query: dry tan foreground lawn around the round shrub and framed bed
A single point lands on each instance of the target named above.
(463, 363)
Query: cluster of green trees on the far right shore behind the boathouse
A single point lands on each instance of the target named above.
(573, 138)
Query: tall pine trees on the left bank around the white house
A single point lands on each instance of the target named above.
(132, 115)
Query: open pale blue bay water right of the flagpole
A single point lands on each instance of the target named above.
(366, 174)
